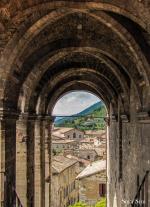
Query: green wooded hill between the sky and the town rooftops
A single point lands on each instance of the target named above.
(90, 118)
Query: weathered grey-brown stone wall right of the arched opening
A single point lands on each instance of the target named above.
(135, 156)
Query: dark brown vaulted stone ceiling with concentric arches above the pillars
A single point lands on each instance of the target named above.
(51, 47)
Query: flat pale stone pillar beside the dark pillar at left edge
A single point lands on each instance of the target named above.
(21, 159)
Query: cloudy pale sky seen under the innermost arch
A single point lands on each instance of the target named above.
(74, 102)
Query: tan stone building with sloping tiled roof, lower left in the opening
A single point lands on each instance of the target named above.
(64, 187)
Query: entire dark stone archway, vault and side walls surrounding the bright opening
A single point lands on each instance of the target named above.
(49, 48)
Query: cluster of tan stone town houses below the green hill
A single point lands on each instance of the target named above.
(78, 166)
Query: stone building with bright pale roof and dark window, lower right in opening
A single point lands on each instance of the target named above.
(92, 183)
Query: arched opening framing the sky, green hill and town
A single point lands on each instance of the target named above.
(79, 150)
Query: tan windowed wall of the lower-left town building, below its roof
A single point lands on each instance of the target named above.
(65, 187)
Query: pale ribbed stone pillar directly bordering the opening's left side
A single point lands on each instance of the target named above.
(42, 153)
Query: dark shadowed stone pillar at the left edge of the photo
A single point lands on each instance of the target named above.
(7, 158)
